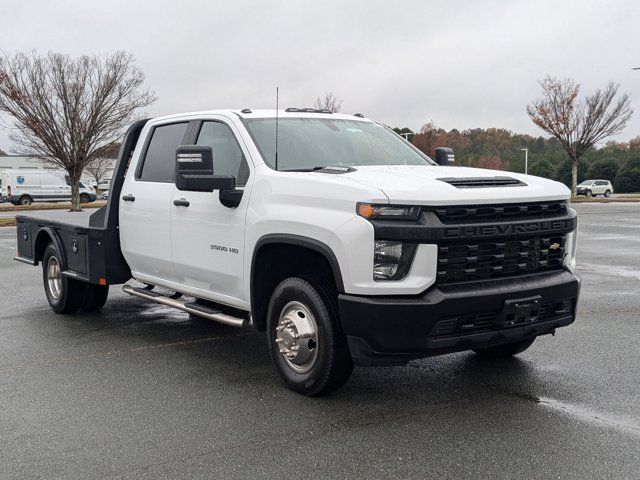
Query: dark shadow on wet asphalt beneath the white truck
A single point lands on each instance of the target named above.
(235, 357)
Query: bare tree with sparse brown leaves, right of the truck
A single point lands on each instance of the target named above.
(579, 124)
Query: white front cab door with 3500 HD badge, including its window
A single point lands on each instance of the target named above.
(207, 238)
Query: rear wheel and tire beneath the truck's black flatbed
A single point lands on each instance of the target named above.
(65, 295)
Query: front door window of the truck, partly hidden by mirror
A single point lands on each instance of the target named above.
(228, 158)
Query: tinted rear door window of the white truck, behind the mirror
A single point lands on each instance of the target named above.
(160, 157)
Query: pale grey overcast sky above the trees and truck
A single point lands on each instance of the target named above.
(462, 64)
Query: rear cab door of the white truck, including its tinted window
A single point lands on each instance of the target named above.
(145, 202)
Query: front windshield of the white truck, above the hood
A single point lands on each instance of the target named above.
(308, 143)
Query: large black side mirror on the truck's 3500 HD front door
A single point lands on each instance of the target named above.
(194, 170)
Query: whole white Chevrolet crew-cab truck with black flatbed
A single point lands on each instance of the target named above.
(334, 235)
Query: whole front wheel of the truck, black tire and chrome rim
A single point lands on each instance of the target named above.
(322, 363)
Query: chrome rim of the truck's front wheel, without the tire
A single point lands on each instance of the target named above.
(297, 337)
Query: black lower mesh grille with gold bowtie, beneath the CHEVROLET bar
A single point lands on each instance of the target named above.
(485, 260)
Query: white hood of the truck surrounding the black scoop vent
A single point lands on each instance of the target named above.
(419, 185)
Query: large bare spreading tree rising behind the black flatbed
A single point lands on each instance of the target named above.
(67, 110)
